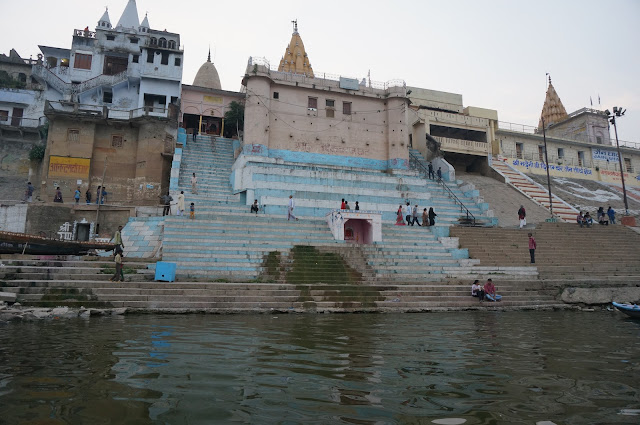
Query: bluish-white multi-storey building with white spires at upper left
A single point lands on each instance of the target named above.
(127, 68)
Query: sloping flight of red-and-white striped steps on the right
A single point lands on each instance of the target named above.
(535, 191)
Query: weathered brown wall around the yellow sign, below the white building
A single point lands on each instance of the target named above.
(137, 172)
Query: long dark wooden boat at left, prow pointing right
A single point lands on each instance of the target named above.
(14, 243)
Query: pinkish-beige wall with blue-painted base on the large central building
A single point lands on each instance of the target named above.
(374, 135)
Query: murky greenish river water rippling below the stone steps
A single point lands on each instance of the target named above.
(468, 367)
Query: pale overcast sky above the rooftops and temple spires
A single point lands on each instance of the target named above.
(496, 53)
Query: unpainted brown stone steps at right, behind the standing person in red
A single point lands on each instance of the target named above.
(567, 255)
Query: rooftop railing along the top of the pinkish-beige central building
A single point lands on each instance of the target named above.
(320, 78)
